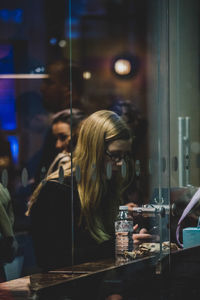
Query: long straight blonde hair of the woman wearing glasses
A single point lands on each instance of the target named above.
(96, 132)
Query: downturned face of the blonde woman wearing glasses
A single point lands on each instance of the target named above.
(116, 151)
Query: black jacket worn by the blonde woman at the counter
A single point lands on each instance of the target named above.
(53, 233)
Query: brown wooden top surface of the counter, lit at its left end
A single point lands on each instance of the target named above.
(26, 288)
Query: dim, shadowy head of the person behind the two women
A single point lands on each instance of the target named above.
(57, 89)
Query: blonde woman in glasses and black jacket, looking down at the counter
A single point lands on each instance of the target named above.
(72, 216)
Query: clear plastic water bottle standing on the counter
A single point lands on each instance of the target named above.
(123, 235)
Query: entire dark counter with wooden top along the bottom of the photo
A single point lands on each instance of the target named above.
(173, 277)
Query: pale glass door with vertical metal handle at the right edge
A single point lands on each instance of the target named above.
(184, 109)
